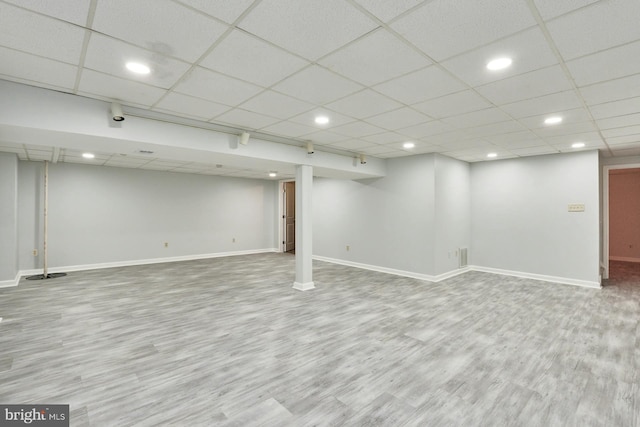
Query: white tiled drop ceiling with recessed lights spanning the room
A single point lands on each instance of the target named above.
(384, 72)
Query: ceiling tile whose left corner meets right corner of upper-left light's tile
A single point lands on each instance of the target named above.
(246, 57)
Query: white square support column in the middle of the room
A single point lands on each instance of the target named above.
(304, 265)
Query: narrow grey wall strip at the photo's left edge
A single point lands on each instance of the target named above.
(8, 218)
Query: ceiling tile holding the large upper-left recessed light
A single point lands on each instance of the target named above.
(109, 56)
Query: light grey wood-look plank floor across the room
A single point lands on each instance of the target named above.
(227, 342)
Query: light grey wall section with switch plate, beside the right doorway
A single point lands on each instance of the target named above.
(520, 220)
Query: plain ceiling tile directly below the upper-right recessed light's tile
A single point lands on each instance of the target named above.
(530, 85)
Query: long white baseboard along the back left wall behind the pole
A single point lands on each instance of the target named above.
(85, 267)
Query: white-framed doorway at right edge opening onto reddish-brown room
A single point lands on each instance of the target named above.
(621, 231)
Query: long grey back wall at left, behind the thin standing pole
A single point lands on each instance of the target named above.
(103, 215)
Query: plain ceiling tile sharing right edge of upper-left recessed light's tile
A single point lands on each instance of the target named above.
(216, 87)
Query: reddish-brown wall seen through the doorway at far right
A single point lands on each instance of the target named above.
(624, 215)
